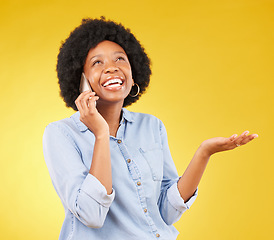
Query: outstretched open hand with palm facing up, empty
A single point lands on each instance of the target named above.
(219, 144)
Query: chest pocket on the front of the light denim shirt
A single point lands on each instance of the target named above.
(154, 156)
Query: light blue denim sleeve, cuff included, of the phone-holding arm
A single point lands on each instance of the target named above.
(79, 191)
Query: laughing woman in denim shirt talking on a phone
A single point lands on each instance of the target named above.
(112, 168)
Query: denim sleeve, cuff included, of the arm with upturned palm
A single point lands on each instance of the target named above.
(170, 202)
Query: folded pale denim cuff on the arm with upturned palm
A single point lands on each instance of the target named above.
(177, 201)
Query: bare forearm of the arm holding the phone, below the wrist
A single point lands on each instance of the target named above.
(101, 162)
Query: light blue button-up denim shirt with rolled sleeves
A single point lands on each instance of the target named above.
(145, 200)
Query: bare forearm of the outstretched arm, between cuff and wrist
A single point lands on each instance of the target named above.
(188, 183)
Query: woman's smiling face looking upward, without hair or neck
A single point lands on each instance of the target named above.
(108, 70)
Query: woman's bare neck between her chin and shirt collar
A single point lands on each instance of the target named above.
(112, 114)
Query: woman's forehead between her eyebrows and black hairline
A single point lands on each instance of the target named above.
(105, 47)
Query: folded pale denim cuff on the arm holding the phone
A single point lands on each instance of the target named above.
(94, 189)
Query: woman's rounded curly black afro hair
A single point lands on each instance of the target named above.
(75, 48)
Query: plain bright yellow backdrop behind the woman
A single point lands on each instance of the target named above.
(212, 64)
